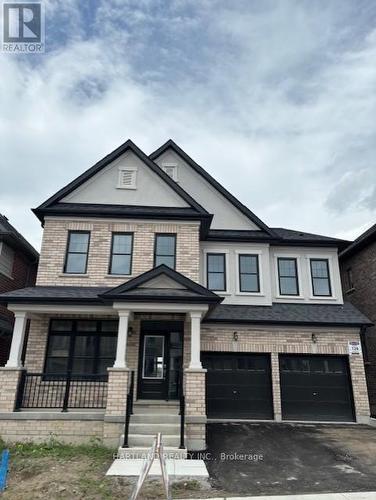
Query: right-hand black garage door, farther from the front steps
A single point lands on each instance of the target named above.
(316, 388)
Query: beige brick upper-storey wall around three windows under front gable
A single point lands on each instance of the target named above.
(55, 236)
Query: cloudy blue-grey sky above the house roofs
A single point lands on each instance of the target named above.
(276, 99)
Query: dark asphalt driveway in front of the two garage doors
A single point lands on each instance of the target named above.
(277, 459)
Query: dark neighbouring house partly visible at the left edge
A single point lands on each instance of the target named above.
(18, 269)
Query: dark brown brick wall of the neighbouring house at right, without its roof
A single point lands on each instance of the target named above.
(363, 266)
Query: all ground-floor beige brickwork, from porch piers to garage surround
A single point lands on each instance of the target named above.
(273, 340)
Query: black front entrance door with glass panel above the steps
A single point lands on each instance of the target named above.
(161, 360)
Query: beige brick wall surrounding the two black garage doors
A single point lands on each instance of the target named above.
(295, 340)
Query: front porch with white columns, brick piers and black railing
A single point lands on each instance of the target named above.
(59, 370)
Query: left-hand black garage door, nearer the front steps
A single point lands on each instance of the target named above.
(238, 385)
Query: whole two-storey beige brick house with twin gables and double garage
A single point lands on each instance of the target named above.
(163, 301)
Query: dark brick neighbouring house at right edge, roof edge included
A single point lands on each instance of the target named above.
(358, 271)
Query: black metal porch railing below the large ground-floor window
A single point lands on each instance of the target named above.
(65, 391)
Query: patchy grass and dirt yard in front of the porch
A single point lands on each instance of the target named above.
(56, 471)
